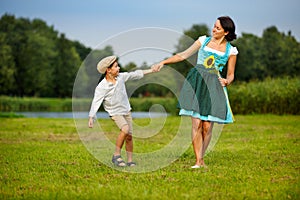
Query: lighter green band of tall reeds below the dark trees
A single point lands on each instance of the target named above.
(276, 96)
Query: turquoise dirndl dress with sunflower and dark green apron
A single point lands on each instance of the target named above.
(202, 96)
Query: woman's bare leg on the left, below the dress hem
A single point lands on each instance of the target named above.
(197, 139)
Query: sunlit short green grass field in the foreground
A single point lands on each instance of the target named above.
(257, 157)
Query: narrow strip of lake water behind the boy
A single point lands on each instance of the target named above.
(82, 115)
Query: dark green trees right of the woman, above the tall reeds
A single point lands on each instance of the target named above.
(275, 54)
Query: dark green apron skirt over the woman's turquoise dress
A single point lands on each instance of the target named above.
(202, 93)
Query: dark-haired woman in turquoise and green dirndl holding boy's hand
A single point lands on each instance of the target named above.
(204, 95)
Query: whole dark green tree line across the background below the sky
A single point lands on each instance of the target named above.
(37, 60)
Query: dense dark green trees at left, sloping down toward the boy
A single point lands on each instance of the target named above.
(36, 60)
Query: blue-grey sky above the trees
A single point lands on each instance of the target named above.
(147, 31)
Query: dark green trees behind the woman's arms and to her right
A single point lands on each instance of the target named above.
(275, 54)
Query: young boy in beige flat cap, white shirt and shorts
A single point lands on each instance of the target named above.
(112, 92)
